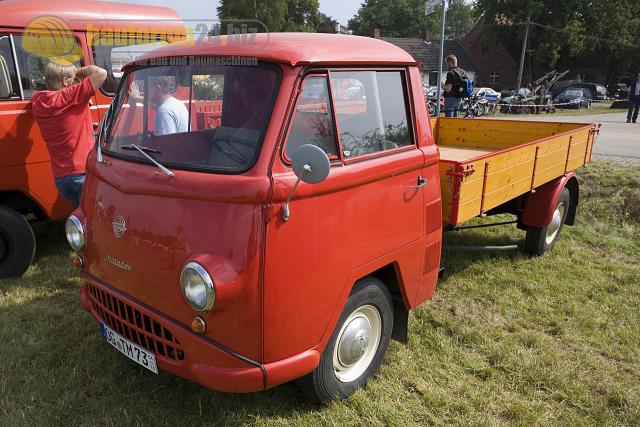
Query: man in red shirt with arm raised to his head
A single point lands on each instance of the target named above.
(63, 115)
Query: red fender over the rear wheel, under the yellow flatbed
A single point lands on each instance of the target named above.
(539, 205)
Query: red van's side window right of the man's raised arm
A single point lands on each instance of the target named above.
(113, 56)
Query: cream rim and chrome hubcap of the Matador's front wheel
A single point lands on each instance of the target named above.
(357, 343)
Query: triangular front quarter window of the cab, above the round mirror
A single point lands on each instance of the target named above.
(312, 120)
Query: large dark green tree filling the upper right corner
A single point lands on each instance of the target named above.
(570, 33)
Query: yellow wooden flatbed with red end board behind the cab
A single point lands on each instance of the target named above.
(487, 163)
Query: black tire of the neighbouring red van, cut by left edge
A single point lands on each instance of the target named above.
(17, 243)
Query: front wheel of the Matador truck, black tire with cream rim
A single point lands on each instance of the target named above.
(357, 346)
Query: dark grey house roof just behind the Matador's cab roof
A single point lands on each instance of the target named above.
(427, 52)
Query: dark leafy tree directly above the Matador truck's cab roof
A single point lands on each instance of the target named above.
(277, 15)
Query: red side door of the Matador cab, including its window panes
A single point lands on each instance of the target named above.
(370, 206)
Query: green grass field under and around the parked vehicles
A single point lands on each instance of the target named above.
(506, 340)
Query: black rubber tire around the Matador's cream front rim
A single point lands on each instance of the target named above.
(324, 384)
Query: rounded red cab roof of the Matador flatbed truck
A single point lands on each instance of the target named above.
(294, 49)
